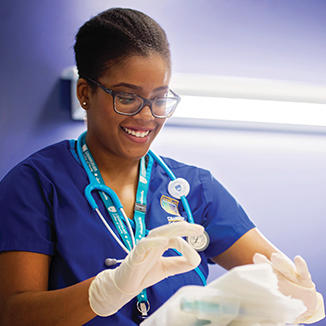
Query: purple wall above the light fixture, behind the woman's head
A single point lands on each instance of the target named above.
(245, 38)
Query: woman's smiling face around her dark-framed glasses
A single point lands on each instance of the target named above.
(127, 136)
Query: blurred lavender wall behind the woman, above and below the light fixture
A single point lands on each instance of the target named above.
(278, 176)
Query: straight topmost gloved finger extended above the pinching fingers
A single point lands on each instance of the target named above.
(178, 229)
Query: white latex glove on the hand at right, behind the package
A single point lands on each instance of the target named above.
(294, 280)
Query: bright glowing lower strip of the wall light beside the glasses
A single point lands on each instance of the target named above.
(248, 110)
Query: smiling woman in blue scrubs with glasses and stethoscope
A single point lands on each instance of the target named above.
(55, 249)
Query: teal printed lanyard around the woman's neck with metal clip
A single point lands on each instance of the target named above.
(139, 210)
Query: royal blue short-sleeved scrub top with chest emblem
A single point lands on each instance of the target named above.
(44, 210)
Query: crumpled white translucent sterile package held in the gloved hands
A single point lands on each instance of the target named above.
(244, 296)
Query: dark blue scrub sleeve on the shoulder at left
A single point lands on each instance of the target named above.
(25, 204)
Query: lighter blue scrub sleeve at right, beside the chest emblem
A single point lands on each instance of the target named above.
(225, 220)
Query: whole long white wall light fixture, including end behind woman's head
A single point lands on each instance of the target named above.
(238, 102)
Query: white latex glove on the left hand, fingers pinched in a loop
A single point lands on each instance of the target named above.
(144, 266)
